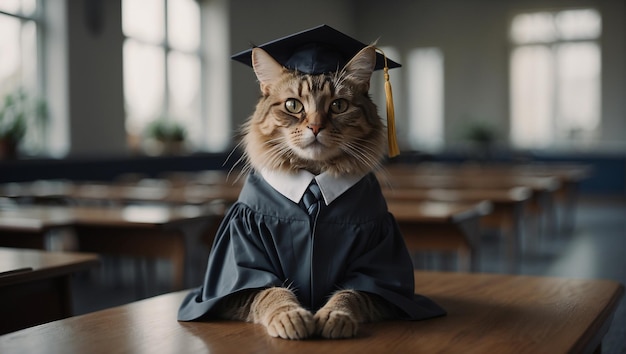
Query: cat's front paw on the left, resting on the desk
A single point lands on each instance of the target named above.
(292, 324)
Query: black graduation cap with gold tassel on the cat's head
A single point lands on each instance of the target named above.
(323, 49)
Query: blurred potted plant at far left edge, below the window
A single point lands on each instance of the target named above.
(18, 113)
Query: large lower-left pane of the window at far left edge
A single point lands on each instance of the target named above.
(10, 50)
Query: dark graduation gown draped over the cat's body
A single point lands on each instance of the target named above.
(267, 240)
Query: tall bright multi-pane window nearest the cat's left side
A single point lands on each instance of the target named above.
(163, 65)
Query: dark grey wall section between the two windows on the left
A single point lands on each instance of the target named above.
(96, 101)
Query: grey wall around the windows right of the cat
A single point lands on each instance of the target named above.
(473, 36)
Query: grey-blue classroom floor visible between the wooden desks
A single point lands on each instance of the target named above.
(595, 248)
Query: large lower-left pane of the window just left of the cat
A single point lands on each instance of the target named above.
(144, 83)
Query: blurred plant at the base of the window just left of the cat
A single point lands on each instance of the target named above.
(165, 136)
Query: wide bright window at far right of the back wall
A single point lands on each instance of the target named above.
(555, 78)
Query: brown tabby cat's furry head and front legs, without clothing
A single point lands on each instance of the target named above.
(320, 123)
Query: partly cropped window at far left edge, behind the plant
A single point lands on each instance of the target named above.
(19, 58)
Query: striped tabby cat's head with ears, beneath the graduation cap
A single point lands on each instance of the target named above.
(321, 123)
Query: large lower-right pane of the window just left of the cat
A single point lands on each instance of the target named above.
(184, 92)
